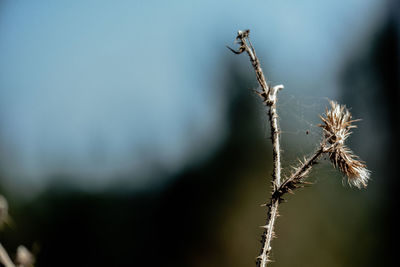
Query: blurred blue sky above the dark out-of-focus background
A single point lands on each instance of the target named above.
(96, 88)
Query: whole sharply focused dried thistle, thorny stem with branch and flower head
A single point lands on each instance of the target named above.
(336, 124)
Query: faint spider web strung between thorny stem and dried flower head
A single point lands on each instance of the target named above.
(300, 133)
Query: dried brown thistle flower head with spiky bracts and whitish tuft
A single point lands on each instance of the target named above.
(337, 123)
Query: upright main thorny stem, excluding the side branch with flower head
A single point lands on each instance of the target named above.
(269, 96)
